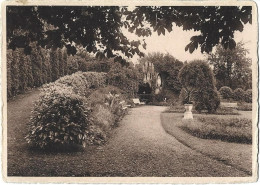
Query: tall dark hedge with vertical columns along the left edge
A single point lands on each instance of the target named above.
(40, 67)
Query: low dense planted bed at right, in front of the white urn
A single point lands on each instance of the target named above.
(224, 128)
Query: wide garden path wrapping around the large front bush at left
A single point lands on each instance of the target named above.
(138, 147)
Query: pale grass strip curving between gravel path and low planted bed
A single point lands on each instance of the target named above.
(238, 155)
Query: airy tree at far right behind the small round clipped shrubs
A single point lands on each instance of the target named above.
(232, 67)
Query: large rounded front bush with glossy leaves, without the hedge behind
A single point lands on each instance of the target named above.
(60, 118)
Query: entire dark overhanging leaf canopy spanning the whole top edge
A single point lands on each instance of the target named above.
(99, 29)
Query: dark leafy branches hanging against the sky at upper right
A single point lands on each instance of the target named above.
(214, 23)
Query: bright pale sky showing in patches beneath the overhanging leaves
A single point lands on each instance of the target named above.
(175, 42)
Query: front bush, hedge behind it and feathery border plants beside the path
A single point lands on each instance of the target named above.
(76, 109)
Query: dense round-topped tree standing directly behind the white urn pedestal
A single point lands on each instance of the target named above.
(198, 84)
